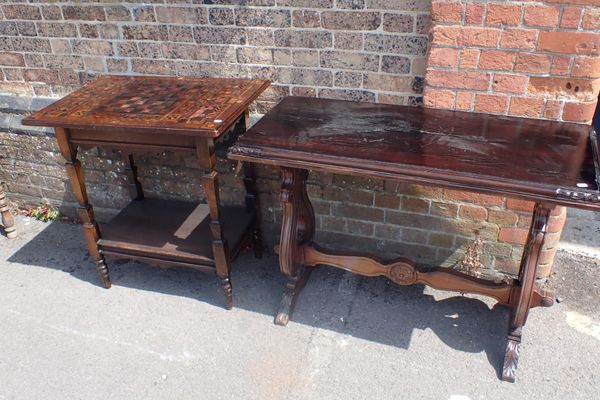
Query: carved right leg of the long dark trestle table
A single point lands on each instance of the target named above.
(522, 300)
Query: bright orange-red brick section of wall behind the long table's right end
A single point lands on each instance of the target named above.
(537, 59)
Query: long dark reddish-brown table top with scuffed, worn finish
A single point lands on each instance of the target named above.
(529, 158)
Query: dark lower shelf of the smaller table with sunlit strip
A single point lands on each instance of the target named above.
(172, 232)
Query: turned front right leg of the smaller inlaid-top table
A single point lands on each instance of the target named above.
(205, 149)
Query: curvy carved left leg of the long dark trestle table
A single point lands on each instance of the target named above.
(297, 228)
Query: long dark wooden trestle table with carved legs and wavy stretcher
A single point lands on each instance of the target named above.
(550, 163)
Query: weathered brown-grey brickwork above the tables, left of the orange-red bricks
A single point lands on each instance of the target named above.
(326, 48)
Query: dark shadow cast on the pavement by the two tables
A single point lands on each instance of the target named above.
(373, 309)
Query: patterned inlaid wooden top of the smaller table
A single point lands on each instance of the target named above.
(187, 105)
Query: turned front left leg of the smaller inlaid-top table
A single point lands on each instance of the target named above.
(85, 210)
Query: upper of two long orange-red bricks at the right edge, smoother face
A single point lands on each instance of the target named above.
(570, 42)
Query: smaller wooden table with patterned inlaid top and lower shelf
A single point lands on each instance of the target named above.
(156, 114)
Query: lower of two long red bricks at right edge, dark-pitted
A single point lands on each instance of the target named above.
(585, 89)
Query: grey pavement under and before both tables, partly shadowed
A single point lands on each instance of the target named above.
(160, 334)
